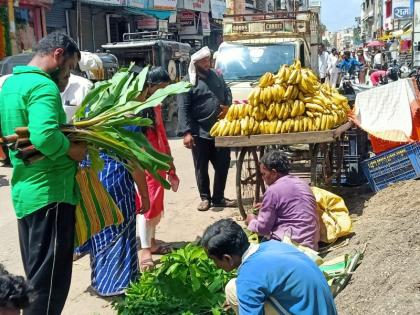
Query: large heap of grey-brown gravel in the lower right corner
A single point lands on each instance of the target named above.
(388, 279)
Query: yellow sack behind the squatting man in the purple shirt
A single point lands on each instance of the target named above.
(334, 216)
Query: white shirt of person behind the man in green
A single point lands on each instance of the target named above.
(73, 95)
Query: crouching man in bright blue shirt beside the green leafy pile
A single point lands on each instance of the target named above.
(273, 277)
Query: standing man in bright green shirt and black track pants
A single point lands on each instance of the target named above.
(44, 193)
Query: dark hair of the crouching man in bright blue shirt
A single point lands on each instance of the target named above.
(225, 237)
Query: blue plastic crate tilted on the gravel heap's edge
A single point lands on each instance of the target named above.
(392, 166)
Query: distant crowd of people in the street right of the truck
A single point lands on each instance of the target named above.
(363, 64)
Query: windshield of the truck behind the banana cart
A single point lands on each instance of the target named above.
(244, 62)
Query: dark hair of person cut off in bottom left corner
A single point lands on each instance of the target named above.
(14, 290)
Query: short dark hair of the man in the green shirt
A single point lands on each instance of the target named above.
(54, 41)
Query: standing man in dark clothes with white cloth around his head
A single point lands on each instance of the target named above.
(199, 110)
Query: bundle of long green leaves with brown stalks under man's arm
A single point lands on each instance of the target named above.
(102, 121)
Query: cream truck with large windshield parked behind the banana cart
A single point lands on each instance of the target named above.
(258, 43)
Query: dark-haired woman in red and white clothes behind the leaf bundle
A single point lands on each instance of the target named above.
(157, 78)
